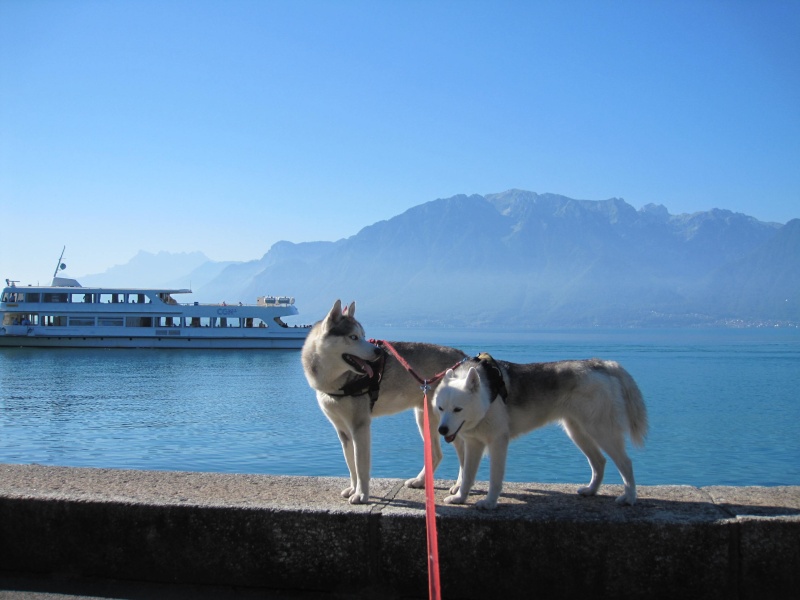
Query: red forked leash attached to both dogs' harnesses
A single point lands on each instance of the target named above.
(434, 588)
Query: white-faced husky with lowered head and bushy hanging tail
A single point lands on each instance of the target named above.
(485, 403)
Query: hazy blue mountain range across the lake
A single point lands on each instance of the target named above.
(519, 259)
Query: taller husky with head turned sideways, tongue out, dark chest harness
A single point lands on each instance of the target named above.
(356, 380)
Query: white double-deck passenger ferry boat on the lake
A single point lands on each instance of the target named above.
(68, 315)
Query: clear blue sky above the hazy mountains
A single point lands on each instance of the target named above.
(226, 126)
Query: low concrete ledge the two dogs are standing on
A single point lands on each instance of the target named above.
(296, 533)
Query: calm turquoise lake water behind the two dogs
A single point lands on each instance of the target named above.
(724, 409)
